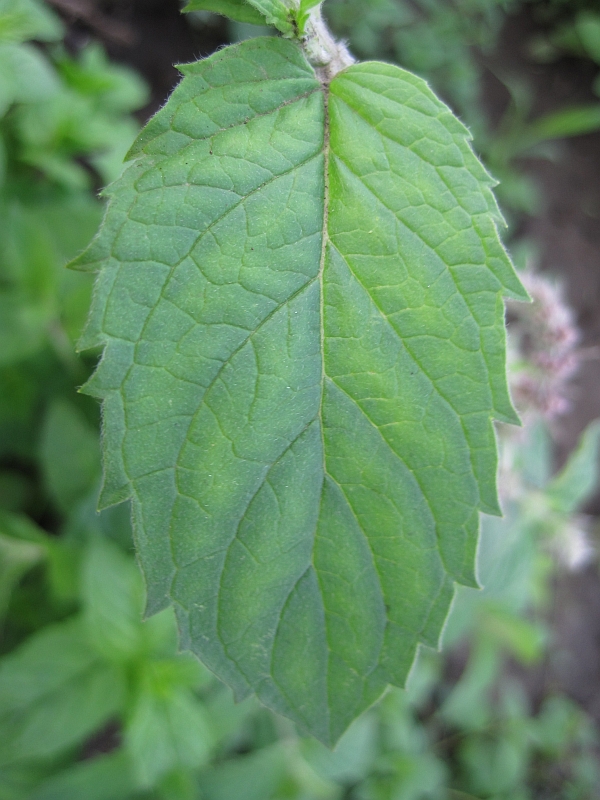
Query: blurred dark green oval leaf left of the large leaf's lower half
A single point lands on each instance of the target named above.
(69, 454)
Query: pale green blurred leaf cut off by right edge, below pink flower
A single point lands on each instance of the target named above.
(578, 480)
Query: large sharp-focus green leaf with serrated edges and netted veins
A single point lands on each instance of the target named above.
(300, 299)
